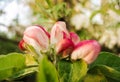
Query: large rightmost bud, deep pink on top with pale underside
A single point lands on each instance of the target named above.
(87, 50)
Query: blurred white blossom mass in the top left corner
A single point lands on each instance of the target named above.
(17, 14)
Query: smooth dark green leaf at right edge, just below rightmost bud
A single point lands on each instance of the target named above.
(108, 59)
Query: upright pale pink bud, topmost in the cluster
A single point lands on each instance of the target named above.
(58, 32)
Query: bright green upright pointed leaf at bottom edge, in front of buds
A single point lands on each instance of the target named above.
(47, 71)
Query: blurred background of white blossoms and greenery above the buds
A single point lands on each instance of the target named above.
(90, 19)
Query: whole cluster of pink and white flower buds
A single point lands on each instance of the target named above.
(66, 44)
